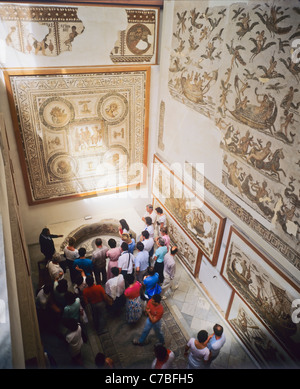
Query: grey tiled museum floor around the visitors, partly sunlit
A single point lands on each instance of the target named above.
(189, 308)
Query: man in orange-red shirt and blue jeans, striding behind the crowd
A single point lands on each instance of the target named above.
(155, 312)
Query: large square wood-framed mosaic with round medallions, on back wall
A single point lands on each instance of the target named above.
(80, 132)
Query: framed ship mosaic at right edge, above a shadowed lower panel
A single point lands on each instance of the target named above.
(264, 288)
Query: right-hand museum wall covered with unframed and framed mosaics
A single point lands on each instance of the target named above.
(228, 158)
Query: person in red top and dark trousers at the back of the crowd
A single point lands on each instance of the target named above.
(95, 296)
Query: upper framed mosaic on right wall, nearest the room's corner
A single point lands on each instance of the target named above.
(200, 221)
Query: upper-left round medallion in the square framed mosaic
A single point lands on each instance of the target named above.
(56, 112)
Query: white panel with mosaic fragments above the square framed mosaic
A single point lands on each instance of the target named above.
(51, 30)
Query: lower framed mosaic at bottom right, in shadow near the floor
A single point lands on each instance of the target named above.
(256, 337)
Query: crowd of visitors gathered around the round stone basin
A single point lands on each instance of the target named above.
(128, 276)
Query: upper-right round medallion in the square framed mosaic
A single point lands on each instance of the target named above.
(113, 108)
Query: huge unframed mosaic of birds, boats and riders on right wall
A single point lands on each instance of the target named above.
(239, 66)
